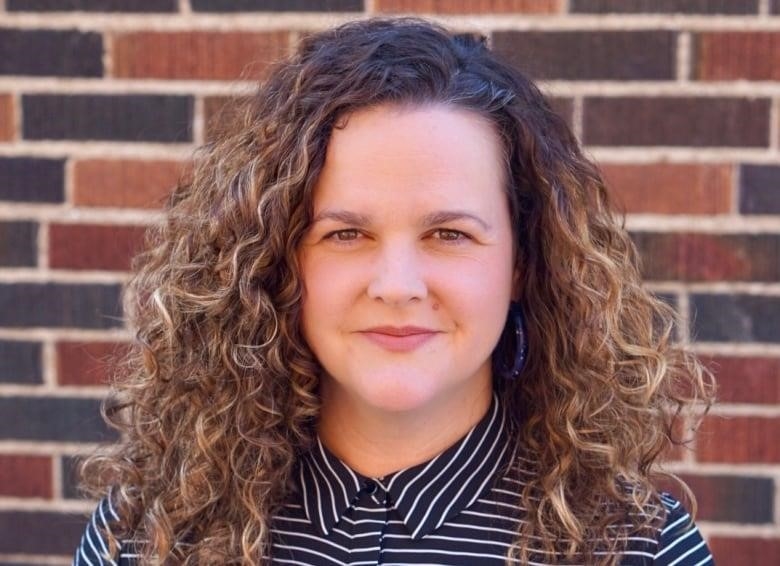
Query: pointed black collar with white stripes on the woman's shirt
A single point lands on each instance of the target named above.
(425, 495)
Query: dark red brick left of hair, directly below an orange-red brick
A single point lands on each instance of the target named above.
(93, 246)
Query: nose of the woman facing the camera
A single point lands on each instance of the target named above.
(397, 276)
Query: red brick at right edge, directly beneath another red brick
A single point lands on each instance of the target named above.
(739, 440)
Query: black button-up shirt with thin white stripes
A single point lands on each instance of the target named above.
(460, 508)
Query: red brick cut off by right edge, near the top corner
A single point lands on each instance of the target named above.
(751, 55)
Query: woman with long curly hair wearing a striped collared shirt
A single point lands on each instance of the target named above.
(391, 319)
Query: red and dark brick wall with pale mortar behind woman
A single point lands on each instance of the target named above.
(101, 101)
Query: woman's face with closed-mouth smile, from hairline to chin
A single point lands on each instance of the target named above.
(408, 264)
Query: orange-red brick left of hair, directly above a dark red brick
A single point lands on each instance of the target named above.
(124, 183)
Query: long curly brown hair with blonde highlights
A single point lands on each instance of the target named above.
(219, 395)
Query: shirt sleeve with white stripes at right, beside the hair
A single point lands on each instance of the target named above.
(680, 542)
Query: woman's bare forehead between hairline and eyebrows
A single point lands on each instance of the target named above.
(402, 154)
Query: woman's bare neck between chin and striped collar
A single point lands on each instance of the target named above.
(375, 443)
